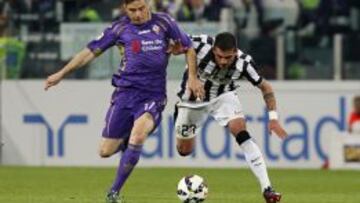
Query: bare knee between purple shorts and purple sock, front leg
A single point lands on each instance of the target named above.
(143, 126)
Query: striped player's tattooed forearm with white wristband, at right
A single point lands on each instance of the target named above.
(270, 101)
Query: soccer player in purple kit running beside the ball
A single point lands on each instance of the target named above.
(140, 94)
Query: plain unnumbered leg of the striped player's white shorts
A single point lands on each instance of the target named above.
(227, 108)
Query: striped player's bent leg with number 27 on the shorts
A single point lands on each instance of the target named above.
(187, 125)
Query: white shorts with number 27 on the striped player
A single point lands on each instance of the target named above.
(190, 116)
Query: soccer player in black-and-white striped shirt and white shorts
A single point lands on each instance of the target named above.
(220, 65)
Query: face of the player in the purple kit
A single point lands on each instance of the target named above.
(138, 12)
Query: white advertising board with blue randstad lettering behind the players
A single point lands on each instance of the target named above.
(47, 128)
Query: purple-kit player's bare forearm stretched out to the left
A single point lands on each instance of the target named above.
(82, 58)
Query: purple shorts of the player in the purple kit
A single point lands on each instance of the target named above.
(126, 106)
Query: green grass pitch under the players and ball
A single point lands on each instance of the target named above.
(158, 185)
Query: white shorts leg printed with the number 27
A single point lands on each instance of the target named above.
(188, 121)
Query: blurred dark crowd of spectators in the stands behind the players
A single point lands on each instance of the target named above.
(30, 31)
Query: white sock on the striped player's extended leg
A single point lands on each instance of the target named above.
(256, 162)
